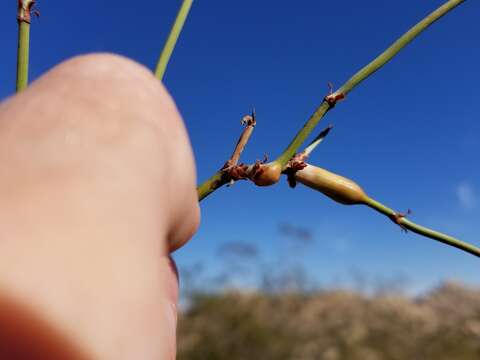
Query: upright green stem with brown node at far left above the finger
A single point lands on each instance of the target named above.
(23, 18)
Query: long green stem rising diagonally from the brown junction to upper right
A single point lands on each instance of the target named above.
(361, 75)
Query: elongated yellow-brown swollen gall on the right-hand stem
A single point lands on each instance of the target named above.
(336, 187)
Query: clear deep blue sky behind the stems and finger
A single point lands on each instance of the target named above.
(409, 135)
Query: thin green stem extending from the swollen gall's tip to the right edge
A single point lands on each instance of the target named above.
(421, 230)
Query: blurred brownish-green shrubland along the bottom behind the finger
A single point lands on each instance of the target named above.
(442, 325)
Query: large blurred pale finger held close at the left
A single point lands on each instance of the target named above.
(97, 176)
